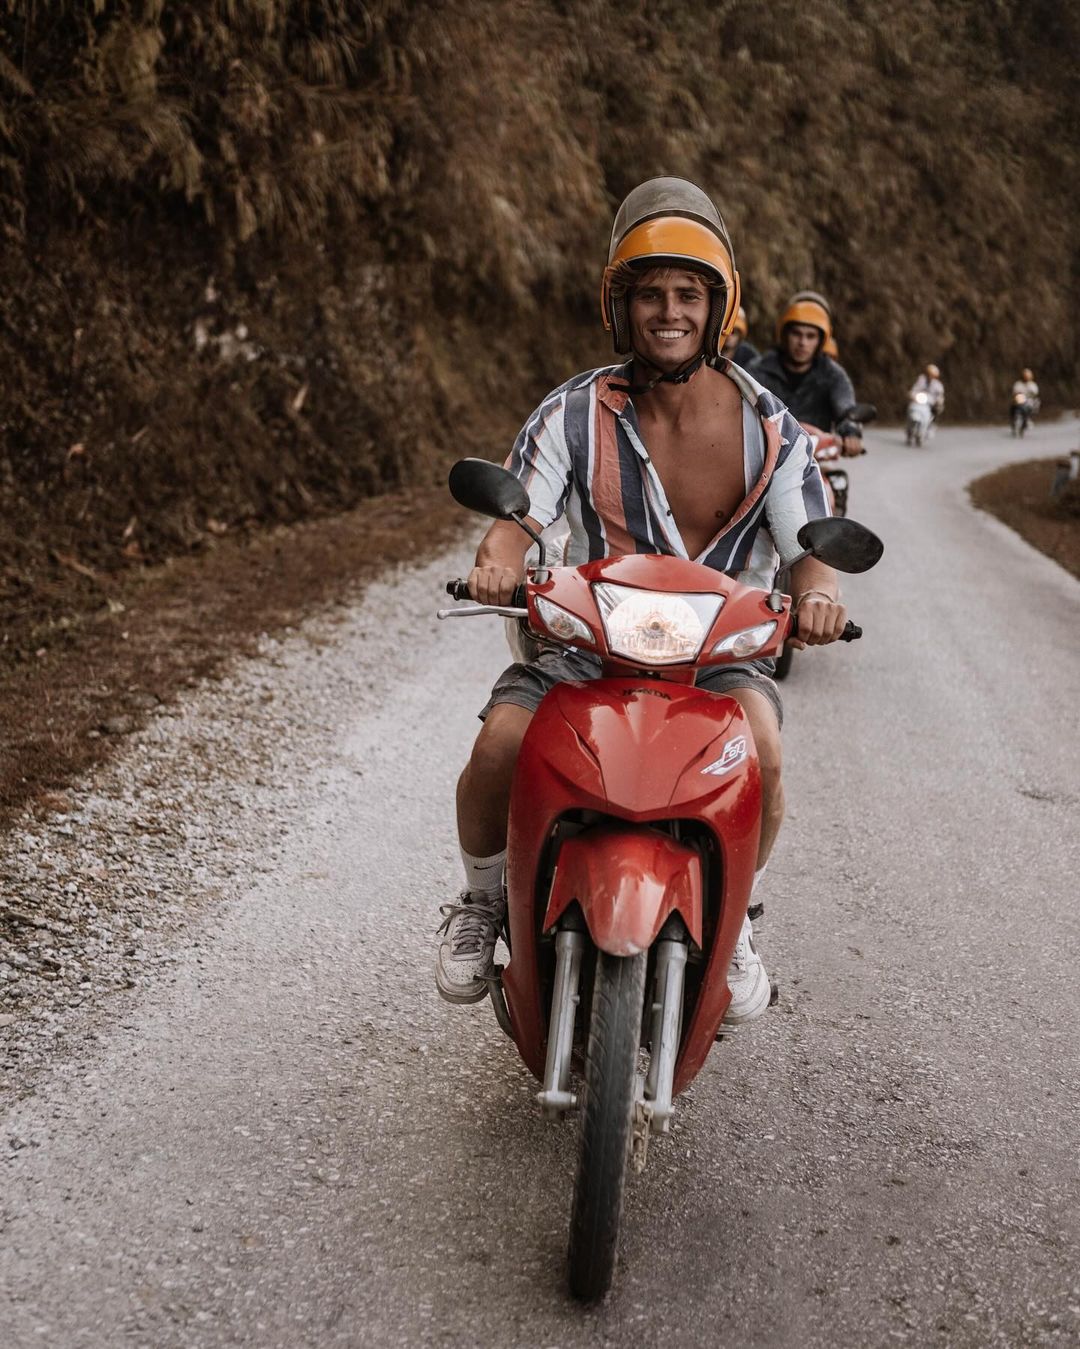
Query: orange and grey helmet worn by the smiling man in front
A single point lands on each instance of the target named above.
(671, 223)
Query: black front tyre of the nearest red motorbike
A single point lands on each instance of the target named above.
(611, 1072)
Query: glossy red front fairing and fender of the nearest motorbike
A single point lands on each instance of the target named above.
(669, 753)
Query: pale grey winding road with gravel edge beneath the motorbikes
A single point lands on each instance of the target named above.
(235, 1112)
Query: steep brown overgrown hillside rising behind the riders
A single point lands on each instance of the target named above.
(262, 258)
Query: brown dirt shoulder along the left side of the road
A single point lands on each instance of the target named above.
(118, 647)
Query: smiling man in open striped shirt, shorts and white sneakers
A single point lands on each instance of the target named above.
(676, 453)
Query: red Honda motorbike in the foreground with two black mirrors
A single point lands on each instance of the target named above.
(634, 825)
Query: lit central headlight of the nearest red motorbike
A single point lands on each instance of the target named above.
(655, 628)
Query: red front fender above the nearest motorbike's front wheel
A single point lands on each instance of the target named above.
(628, 880)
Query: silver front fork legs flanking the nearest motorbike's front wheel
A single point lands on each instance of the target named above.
(653, 1110)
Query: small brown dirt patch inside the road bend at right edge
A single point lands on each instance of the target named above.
(1020, 497)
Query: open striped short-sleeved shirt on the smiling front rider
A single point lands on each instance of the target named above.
(582, 455)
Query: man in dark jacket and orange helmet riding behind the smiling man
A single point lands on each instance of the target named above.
(814, 386)
